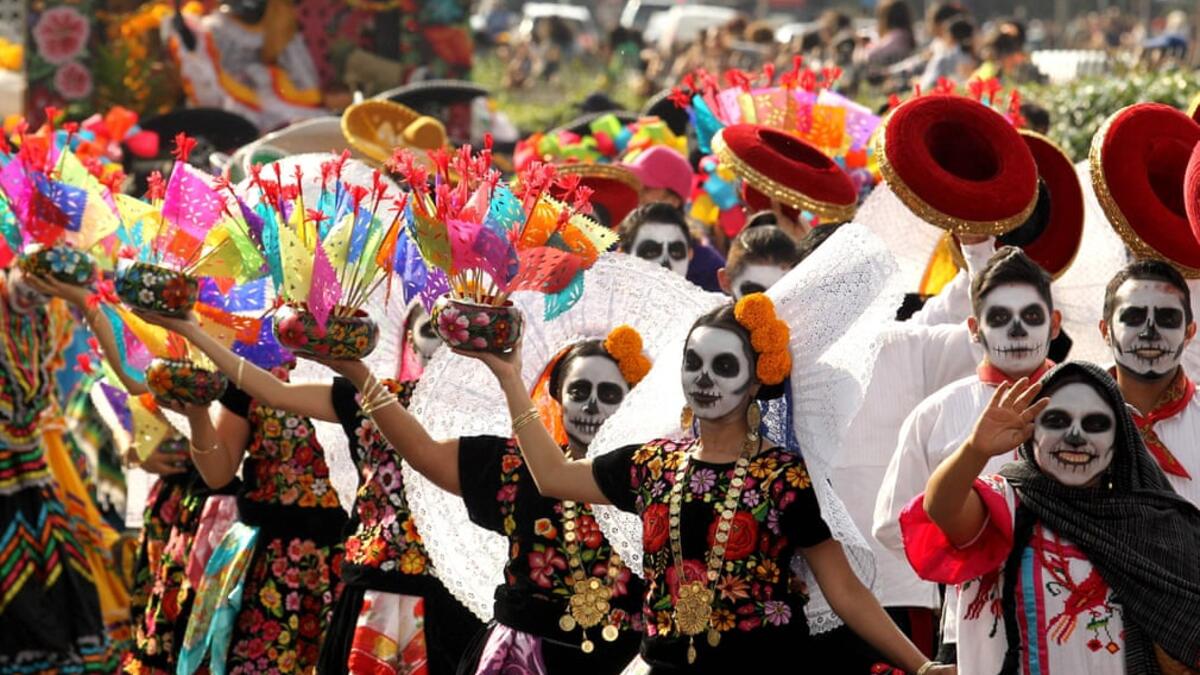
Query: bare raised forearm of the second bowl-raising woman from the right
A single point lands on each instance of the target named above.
(437, 461)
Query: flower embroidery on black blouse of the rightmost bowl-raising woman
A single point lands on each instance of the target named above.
(753, 592)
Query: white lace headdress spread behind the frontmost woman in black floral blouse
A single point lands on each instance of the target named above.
(835, 302)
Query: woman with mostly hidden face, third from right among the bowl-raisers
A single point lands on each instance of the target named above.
(393, 612)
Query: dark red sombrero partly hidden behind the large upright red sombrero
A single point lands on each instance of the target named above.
(1053, 234)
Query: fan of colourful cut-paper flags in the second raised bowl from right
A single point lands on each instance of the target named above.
(329, 230)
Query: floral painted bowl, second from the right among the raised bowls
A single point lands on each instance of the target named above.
(344, 337)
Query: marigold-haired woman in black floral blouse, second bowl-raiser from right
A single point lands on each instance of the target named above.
(568, 602)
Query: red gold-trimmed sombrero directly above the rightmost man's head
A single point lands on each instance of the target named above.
(1139, 159)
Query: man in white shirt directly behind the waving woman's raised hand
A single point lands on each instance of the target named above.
(1015, 321)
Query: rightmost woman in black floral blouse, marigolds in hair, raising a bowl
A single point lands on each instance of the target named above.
(722, 515)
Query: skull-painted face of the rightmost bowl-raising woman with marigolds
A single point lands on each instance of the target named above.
(717, 374)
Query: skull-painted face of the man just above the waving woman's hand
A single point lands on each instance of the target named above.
(1015, 327)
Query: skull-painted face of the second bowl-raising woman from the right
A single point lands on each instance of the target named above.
(593, 390)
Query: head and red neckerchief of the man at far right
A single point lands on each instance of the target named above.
(1149, 325)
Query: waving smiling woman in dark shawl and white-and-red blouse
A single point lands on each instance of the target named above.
(1085, 555)
